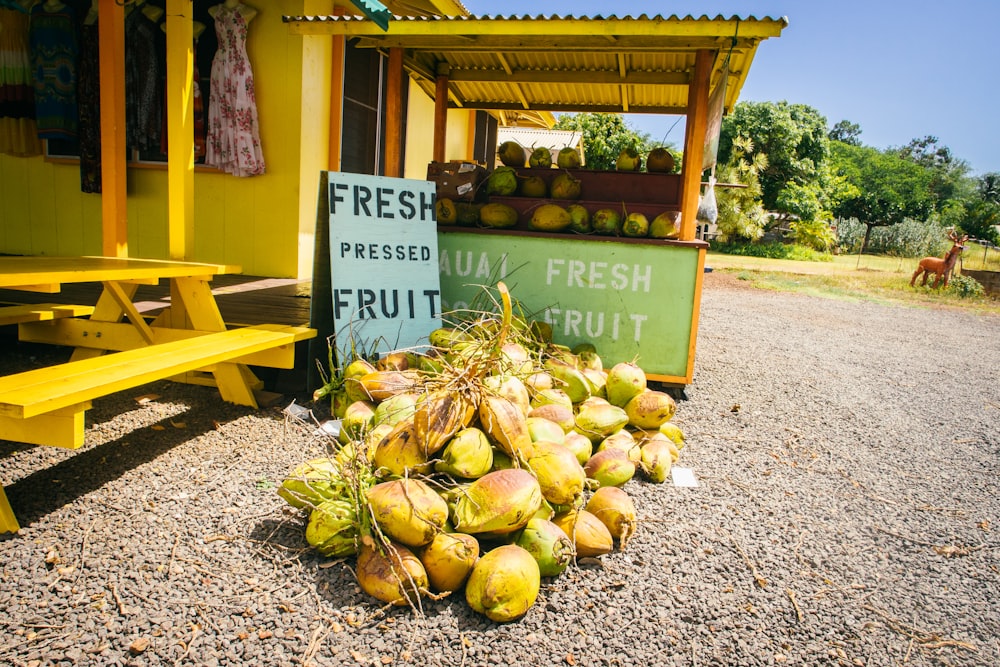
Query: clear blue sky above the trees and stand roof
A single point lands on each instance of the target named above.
(900, 70)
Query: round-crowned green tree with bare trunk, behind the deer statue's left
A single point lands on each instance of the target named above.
(889, 188)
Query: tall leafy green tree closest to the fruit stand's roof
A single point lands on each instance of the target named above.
(794, 138)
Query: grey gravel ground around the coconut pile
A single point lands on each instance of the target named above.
(847, 513)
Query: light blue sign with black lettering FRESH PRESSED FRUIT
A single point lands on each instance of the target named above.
(383, 260)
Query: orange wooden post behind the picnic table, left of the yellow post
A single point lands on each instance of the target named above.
(114, 213)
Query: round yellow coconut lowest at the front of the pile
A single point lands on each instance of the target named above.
(504, 584)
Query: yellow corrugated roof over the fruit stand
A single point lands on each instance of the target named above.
(561, 63)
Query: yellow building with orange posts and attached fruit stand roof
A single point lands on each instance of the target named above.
(335, 91)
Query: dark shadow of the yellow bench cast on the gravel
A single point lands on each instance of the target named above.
(61, 483)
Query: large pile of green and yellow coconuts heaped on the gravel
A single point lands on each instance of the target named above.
(491, 460)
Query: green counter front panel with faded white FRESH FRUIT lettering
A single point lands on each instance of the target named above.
(633, 301)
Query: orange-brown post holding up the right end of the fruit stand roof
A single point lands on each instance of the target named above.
(694, 141)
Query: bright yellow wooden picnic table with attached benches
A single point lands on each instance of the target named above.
(187, 341)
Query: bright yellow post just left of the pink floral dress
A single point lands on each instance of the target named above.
(180, 127)
